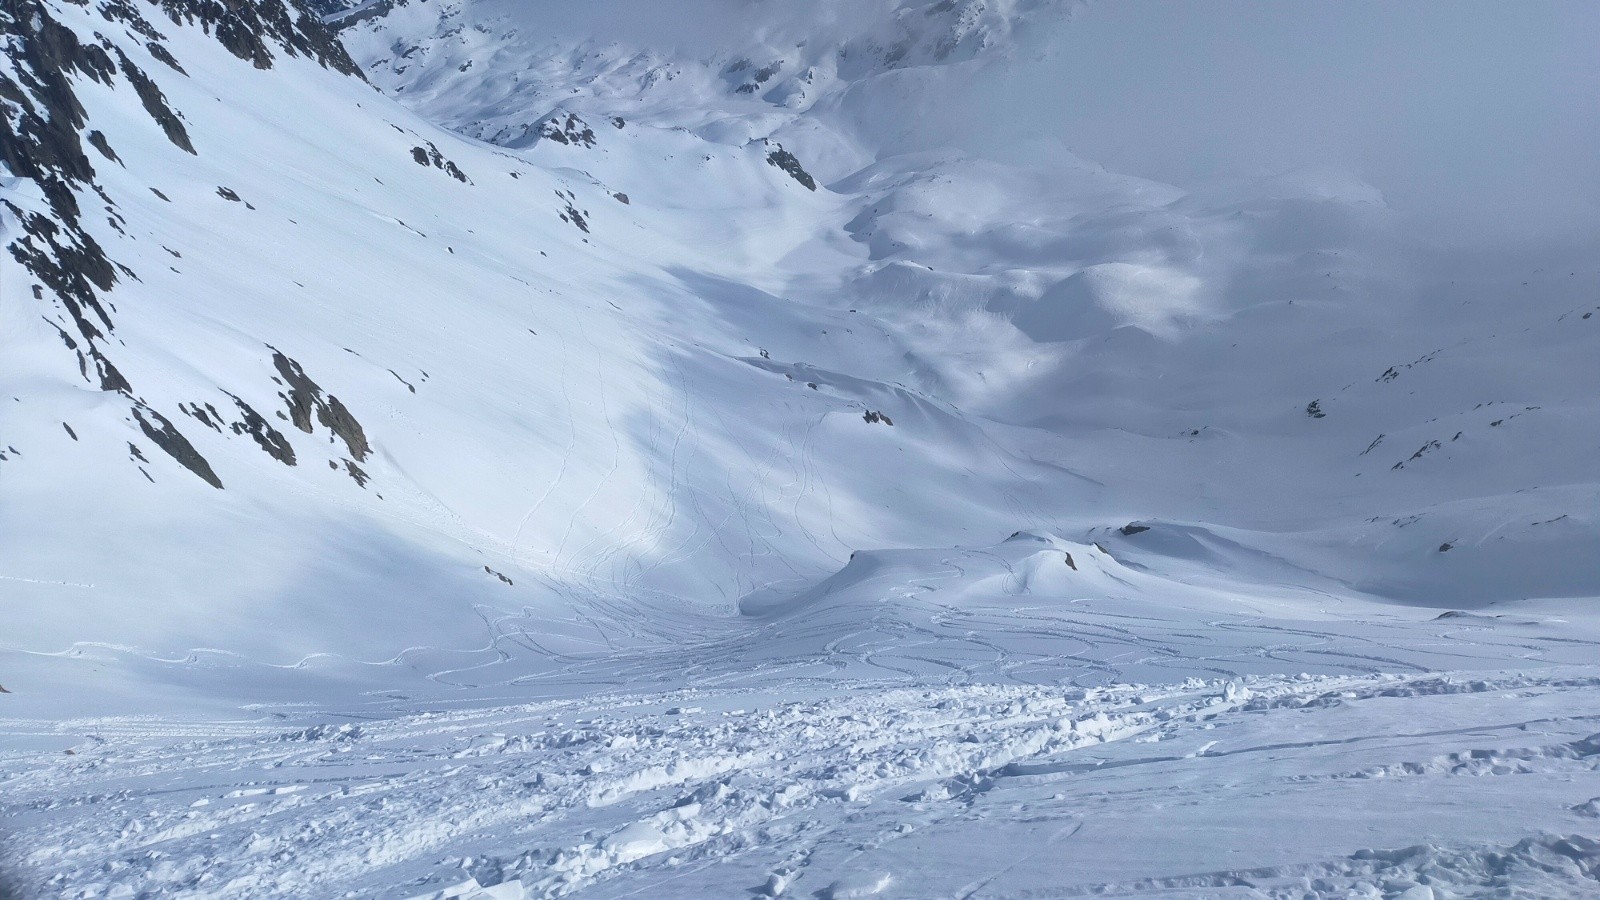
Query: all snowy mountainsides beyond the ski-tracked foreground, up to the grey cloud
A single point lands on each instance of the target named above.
(284, 355)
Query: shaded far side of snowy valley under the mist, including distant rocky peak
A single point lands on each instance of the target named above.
(1230, 358)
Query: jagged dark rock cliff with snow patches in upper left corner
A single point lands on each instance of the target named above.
(47, 140)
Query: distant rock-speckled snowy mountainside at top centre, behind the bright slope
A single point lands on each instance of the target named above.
(726, 70)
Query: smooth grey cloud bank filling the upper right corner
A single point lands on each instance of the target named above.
(1476, 118)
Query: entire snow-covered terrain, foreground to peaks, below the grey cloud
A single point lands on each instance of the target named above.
(455, 352)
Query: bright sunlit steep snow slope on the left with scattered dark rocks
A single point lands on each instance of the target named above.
(511, 409)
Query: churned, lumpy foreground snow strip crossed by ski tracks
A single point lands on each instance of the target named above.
(849, 792)
